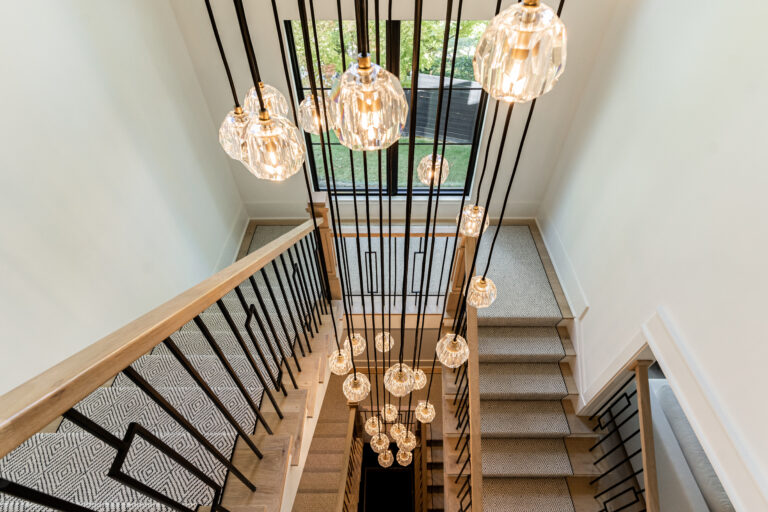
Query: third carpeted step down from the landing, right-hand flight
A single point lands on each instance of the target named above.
(522, 418)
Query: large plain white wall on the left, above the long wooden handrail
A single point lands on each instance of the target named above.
(114, 193)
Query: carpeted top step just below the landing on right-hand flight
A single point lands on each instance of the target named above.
(519, 344)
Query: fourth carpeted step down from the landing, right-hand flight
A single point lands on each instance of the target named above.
(525, 458)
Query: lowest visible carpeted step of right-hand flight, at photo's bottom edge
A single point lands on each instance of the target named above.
(526, 495)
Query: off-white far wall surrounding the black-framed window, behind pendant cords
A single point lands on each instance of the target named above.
(551, 121)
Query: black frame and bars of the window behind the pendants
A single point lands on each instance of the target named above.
(391, 159)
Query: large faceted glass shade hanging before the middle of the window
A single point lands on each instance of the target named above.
(368, 106)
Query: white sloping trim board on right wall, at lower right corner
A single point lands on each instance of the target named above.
(725, 449)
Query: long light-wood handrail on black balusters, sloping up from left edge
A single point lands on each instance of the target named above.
(31, 406)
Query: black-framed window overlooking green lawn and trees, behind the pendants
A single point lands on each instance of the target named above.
(467, 104)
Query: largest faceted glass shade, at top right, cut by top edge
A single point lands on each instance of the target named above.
(521, 54)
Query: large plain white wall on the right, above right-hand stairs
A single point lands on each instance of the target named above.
(658, 204)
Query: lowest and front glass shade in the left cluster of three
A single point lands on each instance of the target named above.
(275, 148)
